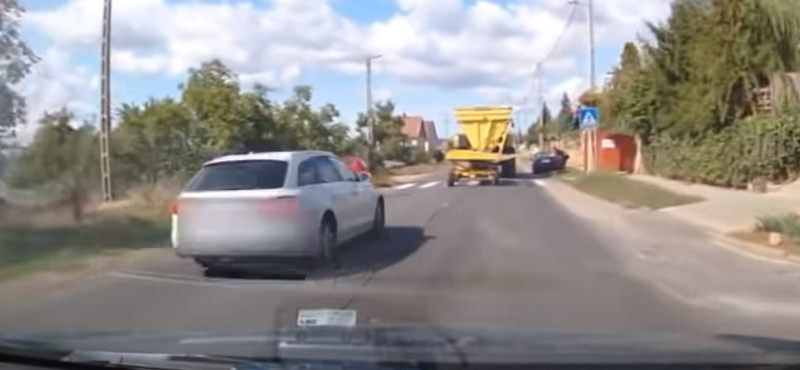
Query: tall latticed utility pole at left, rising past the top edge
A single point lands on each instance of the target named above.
(105, 104)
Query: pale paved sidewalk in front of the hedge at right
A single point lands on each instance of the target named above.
(726, 210)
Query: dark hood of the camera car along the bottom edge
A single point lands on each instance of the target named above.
(382, 343)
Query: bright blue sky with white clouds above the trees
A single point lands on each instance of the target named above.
(437, 55)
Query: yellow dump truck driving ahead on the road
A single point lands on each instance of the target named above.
(484, 149)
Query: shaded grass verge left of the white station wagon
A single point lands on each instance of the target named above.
(28, 248)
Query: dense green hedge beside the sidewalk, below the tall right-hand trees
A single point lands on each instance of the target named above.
(750, 149)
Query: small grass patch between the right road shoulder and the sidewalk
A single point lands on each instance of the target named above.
(620, 189)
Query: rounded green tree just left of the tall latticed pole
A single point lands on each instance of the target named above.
(61, 159)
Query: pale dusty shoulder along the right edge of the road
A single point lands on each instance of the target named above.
(686, 261)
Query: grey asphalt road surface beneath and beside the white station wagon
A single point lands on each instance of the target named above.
(506, 257)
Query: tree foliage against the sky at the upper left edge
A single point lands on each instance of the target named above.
(17, 59)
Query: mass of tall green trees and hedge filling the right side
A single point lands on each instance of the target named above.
(690, 94)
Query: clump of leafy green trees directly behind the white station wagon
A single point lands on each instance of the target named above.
(166, 138)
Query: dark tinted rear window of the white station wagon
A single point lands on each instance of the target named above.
(240, 175)
